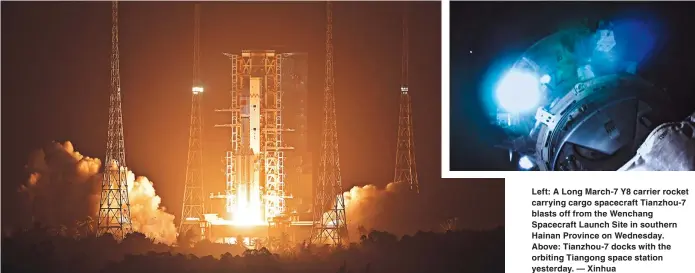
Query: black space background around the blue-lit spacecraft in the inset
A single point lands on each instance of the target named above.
(498, 32)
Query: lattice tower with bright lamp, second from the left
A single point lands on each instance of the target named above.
(193, 197)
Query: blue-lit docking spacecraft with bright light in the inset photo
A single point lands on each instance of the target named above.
(574, 101)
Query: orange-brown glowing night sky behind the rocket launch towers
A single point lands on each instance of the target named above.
(55, 84)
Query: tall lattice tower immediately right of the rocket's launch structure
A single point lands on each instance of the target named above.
(329, 206)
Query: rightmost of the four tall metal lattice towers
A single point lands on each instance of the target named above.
(405, 150)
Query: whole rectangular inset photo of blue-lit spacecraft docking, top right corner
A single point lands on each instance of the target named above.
(571, 86)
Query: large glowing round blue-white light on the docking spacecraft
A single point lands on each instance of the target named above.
(518, 92)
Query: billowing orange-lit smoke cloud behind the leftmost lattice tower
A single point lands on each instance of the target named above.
(64, 187)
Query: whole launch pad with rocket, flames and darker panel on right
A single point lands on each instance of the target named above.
(268, 99)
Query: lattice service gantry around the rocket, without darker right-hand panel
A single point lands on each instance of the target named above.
(255, 172)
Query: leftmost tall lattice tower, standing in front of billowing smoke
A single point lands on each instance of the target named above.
(114, 206)
